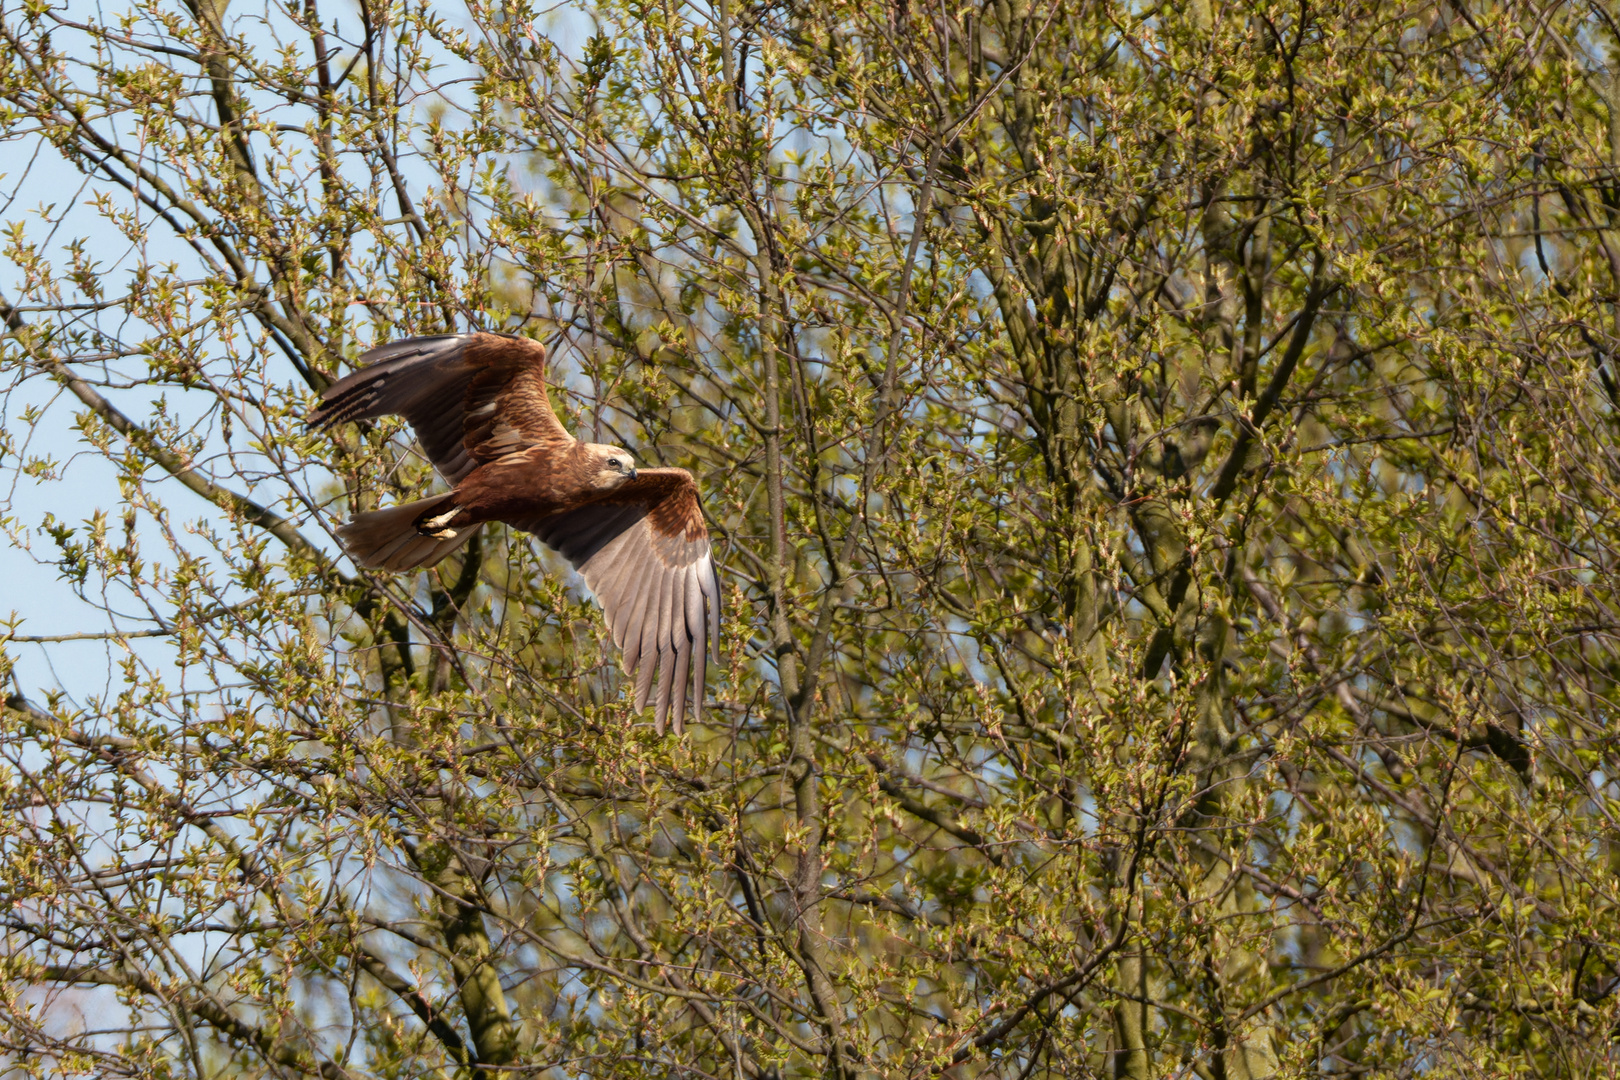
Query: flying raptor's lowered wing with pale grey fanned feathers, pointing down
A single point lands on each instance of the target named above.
(646, 556)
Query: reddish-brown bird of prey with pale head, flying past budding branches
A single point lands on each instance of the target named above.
(637, 535)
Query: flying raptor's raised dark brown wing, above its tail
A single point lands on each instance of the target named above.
(472, 398)
